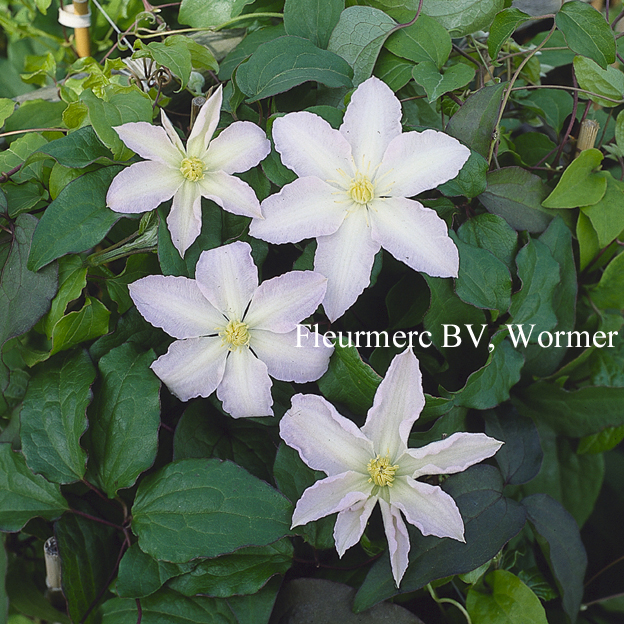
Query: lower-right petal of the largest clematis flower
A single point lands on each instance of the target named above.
(415, 235)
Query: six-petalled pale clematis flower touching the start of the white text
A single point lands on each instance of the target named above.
(232, 334)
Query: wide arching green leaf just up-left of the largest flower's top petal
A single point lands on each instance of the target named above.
(284, 63)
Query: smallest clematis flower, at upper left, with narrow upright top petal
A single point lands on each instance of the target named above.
(203, 168)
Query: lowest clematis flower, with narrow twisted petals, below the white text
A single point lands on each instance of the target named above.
(373, 464)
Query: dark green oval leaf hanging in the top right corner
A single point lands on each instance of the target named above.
(587, 32)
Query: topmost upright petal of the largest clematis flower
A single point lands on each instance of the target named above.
(372, 120)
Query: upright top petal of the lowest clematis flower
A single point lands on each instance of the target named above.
(398, 402)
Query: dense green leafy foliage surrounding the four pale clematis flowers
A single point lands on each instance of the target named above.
(96, 453)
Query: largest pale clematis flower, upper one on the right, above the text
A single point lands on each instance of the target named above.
(352, 190)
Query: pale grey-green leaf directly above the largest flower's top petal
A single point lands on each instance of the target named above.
(358, 37)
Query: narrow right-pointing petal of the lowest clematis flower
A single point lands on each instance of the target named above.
(451, 455)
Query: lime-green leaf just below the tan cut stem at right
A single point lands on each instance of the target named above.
(580, 184)
